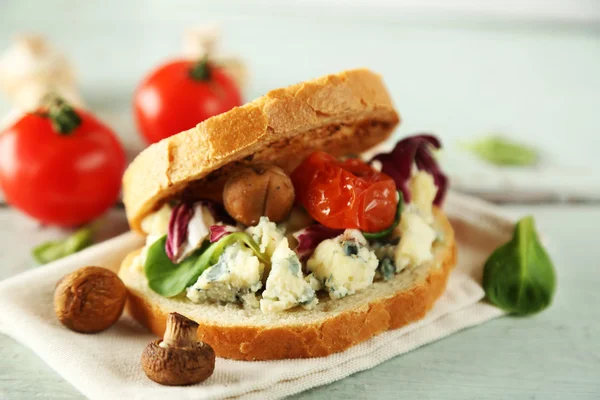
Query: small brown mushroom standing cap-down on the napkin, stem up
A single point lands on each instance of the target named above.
(179, 358)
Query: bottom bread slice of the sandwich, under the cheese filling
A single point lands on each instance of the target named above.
(335, 325)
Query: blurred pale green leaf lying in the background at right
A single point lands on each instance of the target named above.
(501, 151)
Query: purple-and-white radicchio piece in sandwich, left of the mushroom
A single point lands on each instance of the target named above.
(190, 223)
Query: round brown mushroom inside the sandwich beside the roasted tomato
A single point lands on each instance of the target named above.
(258, 190)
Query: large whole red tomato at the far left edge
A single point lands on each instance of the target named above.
(62, 179)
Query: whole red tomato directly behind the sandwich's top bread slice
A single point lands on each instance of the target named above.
(179, 95)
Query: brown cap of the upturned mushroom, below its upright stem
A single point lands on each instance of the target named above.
(178, 366)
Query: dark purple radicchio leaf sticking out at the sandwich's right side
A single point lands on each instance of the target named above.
(414, 149)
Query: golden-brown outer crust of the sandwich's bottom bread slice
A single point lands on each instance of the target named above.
(323, 337)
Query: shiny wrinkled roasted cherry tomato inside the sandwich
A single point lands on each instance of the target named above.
(345, 194)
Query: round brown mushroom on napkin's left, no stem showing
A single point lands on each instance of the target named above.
(90, 299)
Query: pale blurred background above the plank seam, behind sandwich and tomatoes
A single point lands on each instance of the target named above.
(525, 71)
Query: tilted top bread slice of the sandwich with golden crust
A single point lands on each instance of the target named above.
(345, 113)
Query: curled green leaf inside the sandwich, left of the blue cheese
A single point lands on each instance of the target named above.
(169, 279)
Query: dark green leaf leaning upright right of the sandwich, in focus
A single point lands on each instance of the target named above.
(519, 276)
